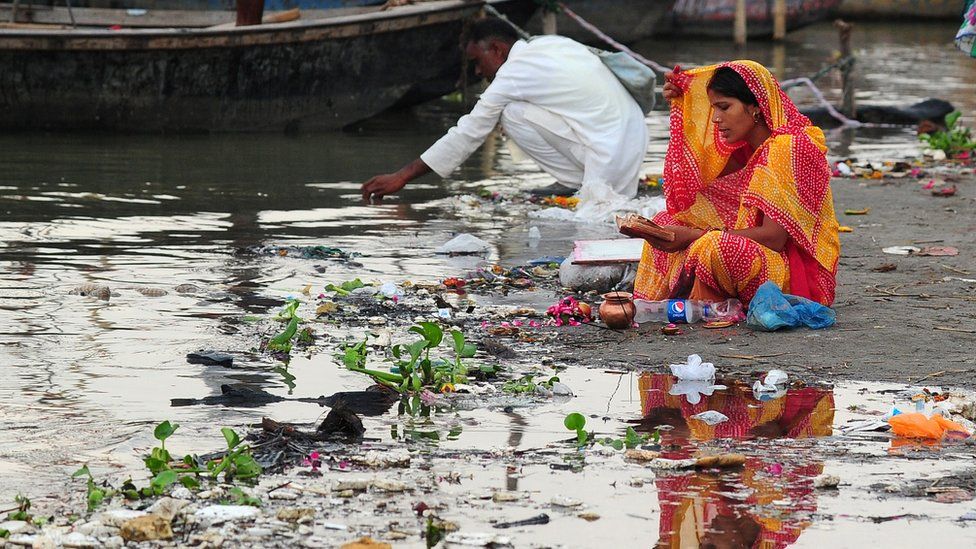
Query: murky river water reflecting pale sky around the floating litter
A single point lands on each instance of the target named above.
(86, 380)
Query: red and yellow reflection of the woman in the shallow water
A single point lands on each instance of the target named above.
(734, 509)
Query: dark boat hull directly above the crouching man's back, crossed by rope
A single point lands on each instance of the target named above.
(626, 21)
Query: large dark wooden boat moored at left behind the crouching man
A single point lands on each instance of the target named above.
(307, 74)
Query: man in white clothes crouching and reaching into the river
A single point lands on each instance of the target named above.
(556, 100)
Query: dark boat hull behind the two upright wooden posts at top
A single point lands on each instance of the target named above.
(716, 18)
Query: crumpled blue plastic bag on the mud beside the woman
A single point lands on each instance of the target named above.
(771, 310)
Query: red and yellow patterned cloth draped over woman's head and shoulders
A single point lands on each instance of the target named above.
(787, 179)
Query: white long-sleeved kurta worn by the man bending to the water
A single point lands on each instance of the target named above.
(567, 79)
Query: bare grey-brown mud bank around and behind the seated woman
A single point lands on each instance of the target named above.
(899, 317)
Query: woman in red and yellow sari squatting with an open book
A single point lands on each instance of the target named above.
(747, 186)
